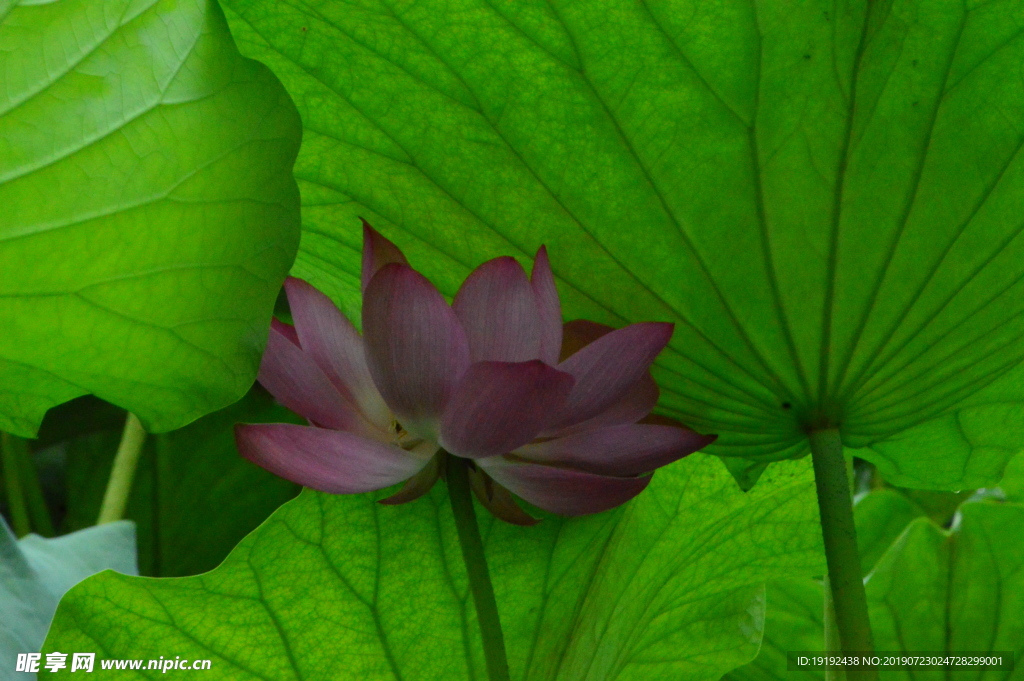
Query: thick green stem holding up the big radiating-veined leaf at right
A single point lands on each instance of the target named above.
(836, 506)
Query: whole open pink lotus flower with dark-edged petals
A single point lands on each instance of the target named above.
(547, 412)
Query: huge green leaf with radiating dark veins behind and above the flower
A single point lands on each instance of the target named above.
(825, 199)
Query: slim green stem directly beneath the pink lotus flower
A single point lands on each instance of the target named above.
(477, 566)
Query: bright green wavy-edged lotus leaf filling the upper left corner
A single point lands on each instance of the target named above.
(150, 214)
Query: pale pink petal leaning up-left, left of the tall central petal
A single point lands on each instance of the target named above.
(337, 349)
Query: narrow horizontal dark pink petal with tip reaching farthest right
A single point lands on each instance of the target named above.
(622, 450)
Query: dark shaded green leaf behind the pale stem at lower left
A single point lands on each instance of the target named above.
(194, 497)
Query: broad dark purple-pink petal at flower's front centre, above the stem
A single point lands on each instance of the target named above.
(500, 406)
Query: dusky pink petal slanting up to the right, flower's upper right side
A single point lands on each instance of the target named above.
(607, 369)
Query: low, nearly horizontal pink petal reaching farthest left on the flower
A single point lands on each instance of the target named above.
(327, 460)
